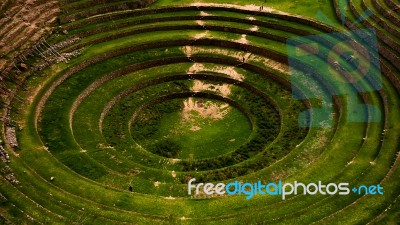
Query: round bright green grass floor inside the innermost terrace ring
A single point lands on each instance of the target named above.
(214, 137)
